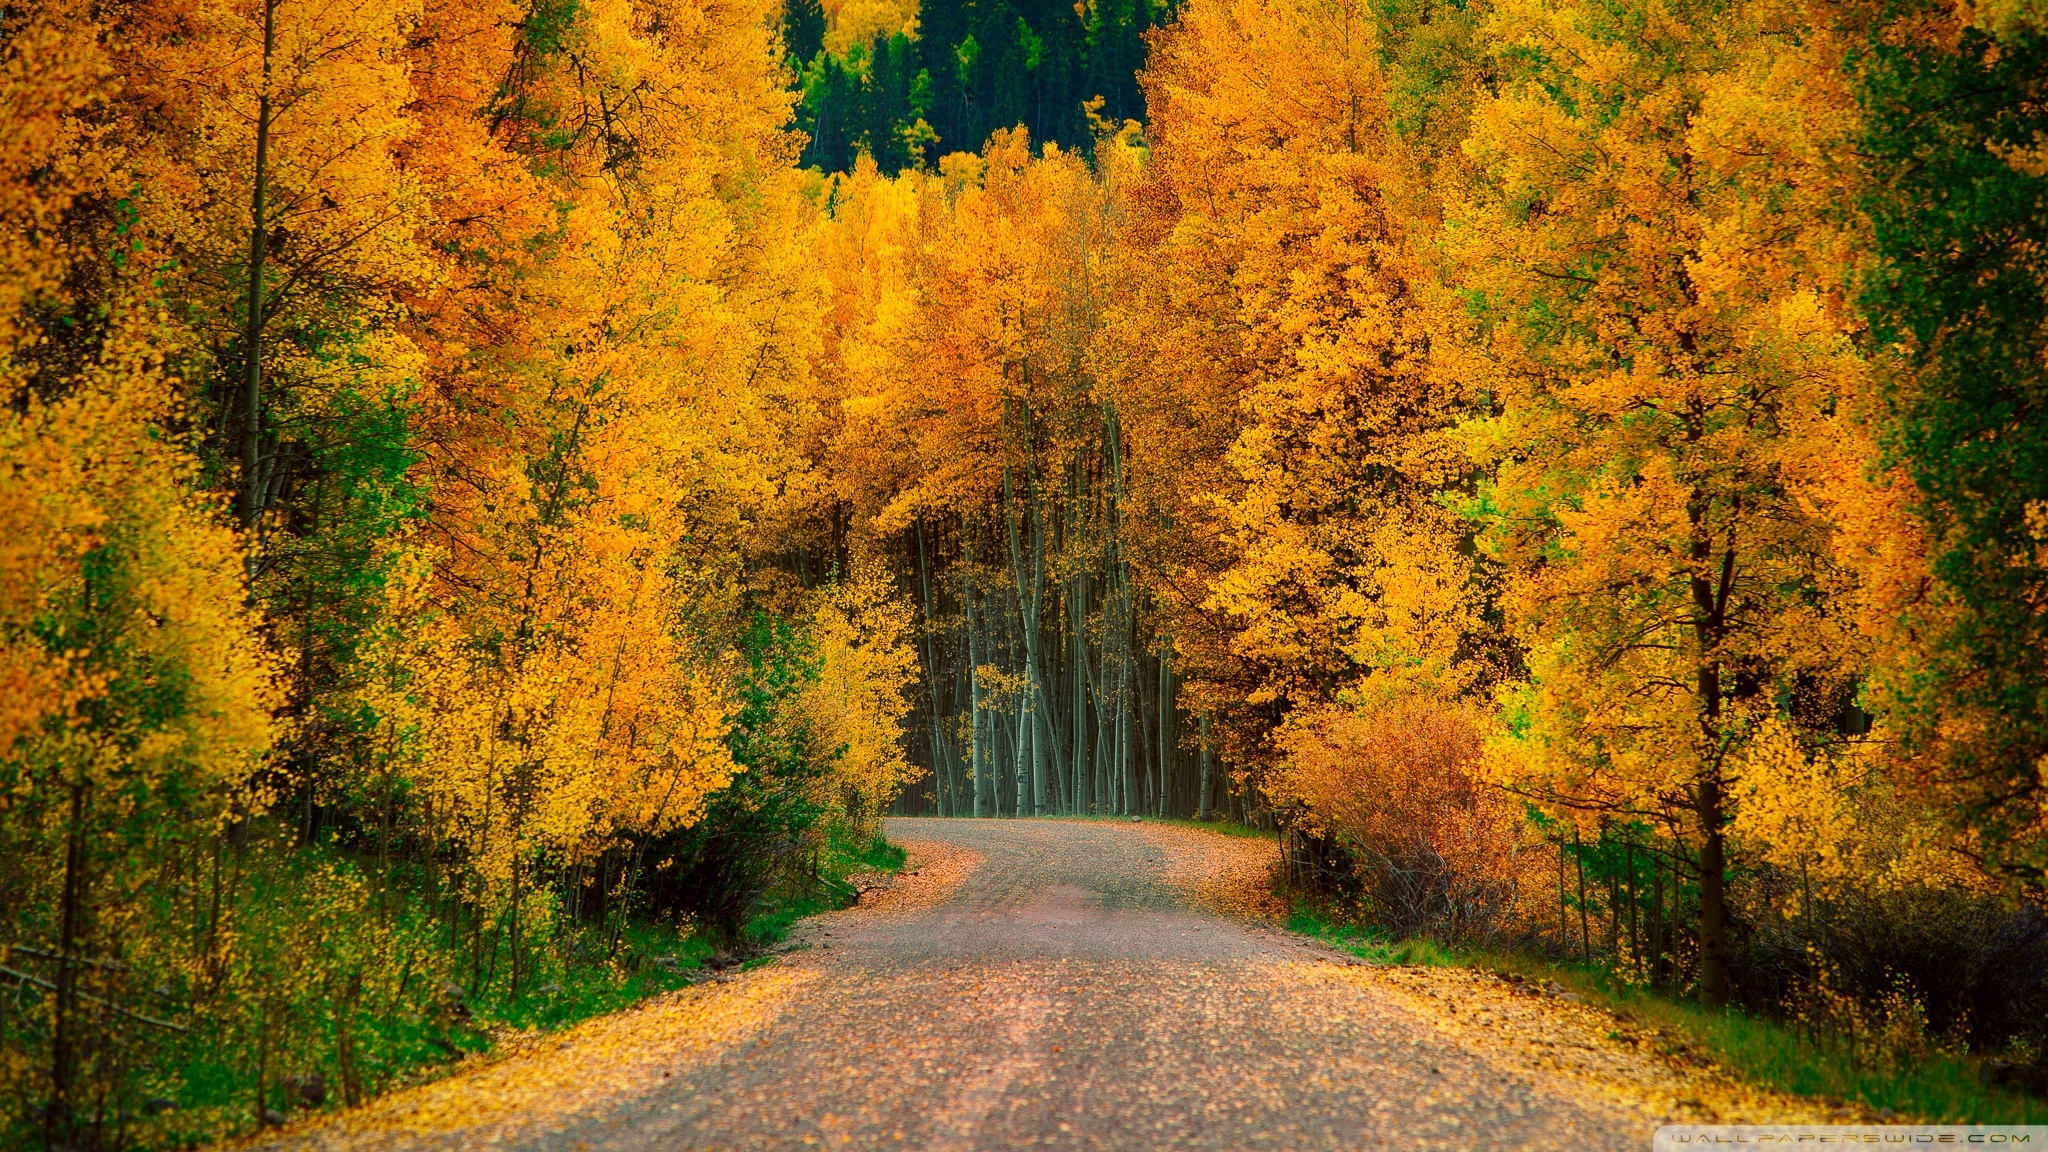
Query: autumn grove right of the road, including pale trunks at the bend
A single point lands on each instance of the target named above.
(1576, 470)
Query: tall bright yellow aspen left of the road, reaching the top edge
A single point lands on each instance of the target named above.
(556, 663)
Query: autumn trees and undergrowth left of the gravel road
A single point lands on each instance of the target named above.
(398, 401)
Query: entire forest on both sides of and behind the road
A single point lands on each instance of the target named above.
(484, 477)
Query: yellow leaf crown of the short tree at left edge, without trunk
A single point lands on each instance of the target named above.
(120, 583)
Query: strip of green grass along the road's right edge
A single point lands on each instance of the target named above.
(1932, 1089)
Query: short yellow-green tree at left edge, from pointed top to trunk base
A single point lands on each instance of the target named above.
(140, 694)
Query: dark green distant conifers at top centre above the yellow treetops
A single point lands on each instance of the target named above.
(966, 71)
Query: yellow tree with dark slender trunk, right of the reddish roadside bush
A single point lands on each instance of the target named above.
(1660, 280)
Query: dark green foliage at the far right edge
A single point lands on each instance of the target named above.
(1959, 204)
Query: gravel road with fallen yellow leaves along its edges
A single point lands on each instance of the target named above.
(1074, 985)
